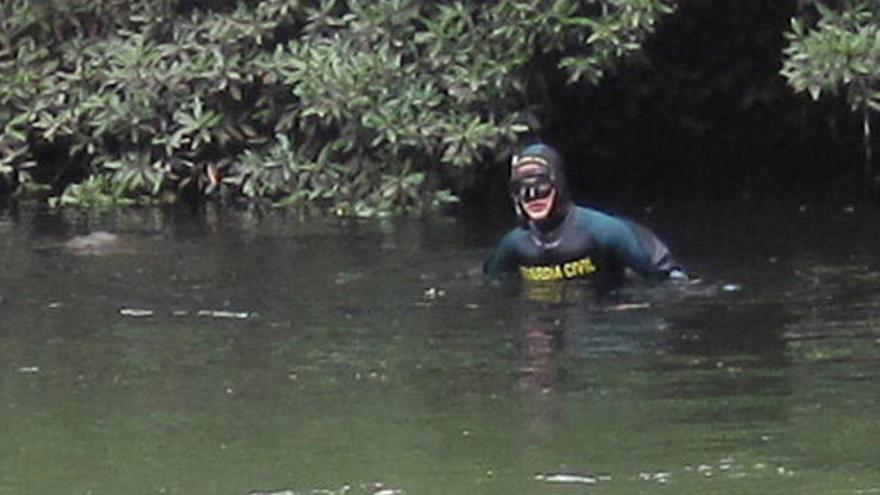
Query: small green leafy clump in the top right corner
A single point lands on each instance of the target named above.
(840, 52)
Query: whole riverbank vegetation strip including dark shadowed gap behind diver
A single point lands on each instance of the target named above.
(364, 108)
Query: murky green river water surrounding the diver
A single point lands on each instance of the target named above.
(229, 352)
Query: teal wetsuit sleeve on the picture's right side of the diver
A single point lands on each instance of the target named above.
(640, 249)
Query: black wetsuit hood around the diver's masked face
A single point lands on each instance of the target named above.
(551, 166)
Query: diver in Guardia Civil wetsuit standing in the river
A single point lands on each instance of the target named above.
(557, 240)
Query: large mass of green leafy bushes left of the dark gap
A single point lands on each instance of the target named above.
(357, 107)
